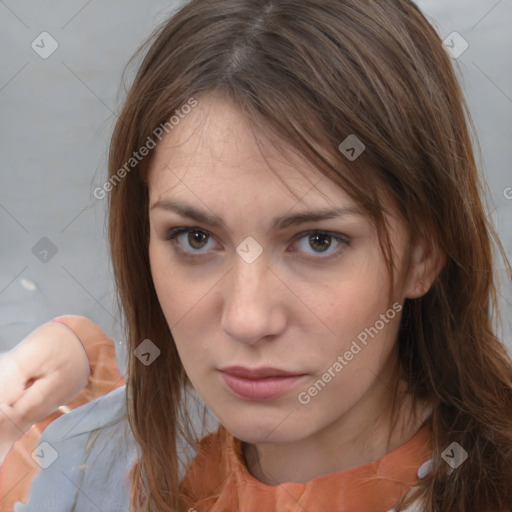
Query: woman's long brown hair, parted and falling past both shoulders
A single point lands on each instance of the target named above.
(316, 71)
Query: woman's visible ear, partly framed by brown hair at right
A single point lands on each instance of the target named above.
(425, 263)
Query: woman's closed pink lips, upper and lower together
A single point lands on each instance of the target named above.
(258, 384)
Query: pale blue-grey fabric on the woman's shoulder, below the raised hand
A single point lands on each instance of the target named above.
(85, 458)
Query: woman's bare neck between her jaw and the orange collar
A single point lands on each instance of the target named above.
(356, 439)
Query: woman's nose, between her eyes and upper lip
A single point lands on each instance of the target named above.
(253, 309)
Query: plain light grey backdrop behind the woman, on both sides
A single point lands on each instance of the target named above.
(57, 114)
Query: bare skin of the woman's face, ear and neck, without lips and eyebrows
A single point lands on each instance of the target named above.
(295, 307)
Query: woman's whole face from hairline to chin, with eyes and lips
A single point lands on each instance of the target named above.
(254, 274)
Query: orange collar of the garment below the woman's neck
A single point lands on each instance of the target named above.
(219, 481)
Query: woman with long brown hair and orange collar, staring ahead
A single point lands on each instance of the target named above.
(305, 245)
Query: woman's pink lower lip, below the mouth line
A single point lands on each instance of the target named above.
(260, 389)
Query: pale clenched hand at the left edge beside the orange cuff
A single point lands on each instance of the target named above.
(45, 370)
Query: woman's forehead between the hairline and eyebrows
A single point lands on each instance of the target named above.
(216, 151)
